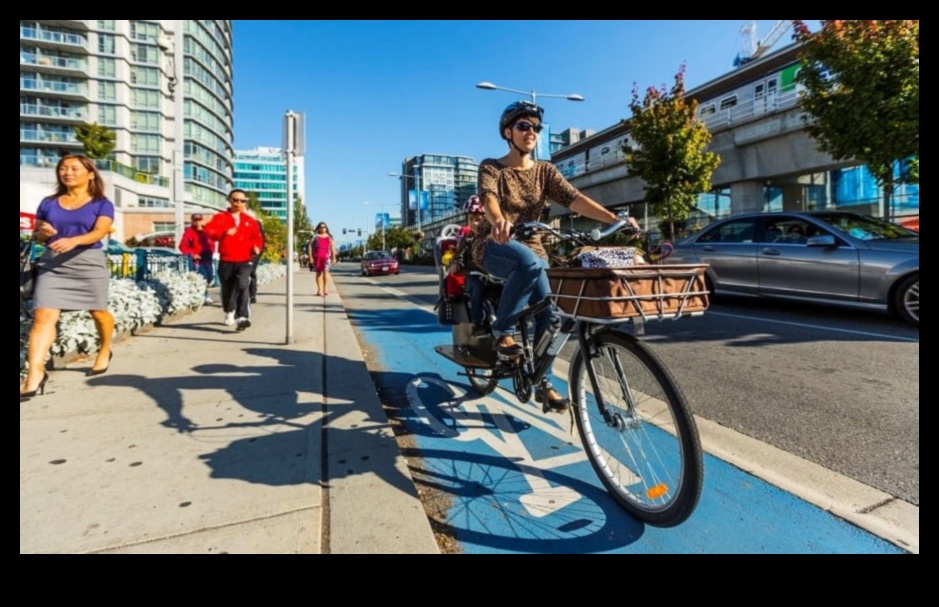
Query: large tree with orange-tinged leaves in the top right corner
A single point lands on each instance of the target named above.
(861, 95)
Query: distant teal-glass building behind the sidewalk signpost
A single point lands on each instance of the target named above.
(263, 171)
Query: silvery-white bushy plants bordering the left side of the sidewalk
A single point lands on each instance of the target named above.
(134, 305)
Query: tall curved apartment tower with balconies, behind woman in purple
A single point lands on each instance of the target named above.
(124, 75)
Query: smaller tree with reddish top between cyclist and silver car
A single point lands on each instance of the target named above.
(668, 152)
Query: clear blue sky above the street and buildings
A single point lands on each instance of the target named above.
(376, 92)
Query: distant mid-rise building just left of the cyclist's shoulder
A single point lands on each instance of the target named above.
(444, 184)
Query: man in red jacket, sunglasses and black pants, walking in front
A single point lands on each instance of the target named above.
(239, 239)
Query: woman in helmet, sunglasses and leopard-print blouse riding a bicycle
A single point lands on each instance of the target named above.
(514, 189)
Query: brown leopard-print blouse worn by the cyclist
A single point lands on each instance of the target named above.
(523, 195)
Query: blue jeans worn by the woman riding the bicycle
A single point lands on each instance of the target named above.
(526, 284)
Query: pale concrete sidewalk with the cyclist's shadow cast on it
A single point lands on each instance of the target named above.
(200, 439)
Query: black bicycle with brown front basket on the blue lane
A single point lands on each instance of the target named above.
(635, 424)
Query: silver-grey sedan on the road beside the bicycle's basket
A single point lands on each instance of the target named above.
(834, 257)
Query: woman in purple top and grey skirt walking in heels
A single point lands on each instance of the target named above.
(73, 273)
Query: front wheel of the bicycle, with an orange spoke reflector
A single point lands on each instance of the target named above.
(637, 429)
